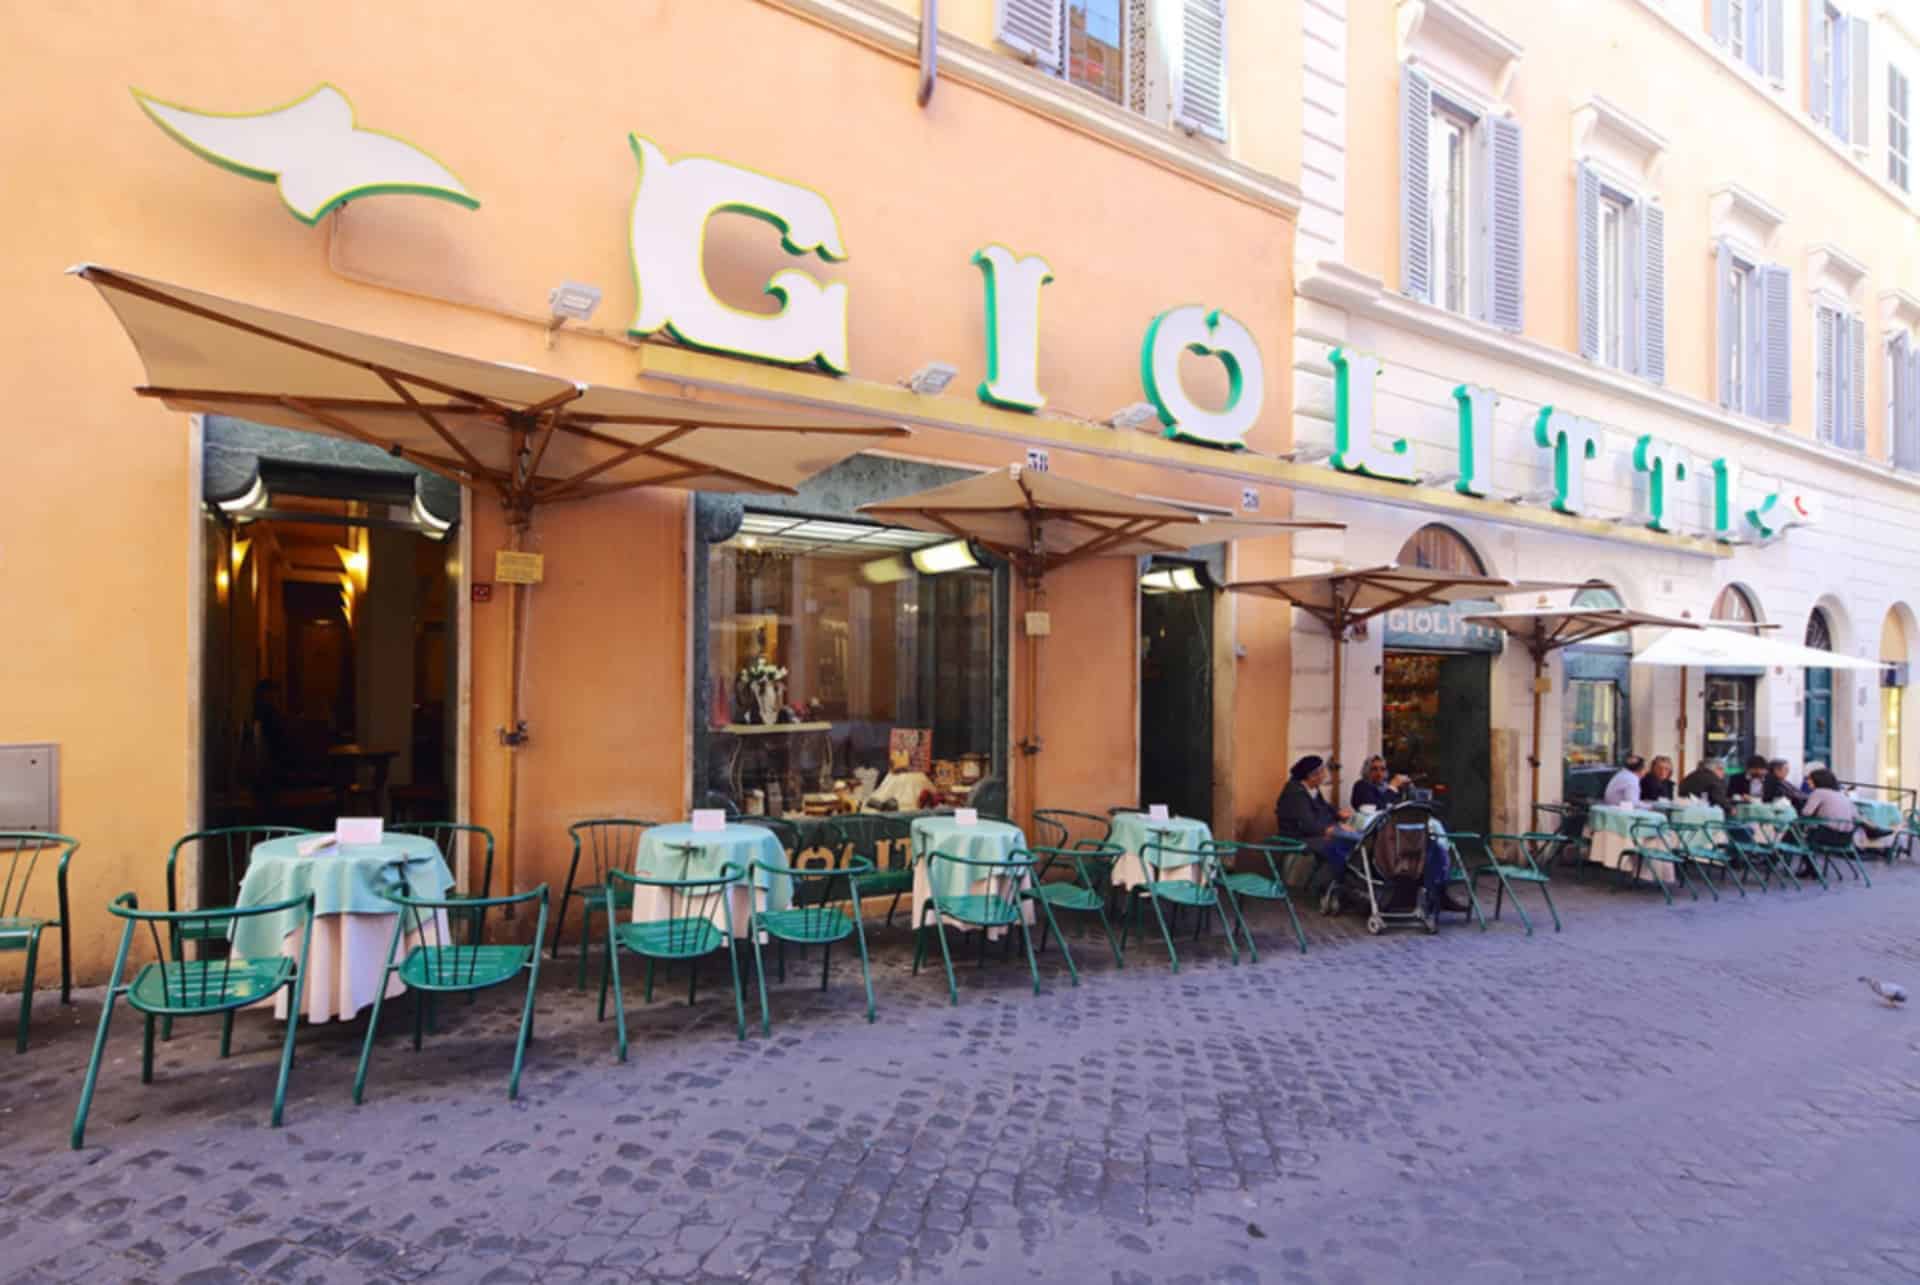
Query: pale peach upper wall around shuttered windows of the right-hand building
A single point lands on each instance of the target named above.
(1723, 130)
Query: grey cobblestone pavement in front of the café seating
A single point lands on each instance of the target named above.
(1696, 1094)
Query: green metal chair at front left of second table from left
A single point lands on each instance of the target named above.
(688, 934)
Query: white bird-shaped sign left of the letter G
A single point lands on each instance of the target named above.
(312, 151)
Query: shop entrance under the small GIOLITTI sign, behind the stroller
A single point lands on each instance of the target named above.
(1437, 729)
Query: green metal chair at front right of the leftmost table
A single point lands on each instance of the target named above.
(439, 965)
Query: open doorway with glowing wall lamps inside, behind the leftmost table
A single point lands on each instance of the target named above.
(329, 671)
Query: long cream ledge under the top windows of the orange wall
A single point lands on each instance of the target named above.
(1003, 76)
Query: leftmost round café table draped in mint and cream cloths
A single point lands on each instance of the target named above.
(352, 917)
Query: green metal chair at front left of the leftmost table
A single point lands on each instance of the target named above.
(181, 988)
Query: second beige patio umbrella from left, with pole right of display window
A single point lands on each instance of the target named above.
(1044, 521)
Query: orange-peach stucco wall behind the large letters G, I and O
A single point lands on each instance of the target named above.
(533, 116)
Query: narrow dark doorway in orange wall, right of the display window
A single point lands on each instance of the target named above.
(1178, 689)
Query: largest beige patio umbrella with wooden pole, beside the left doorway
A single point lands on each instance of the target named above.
(519, 435)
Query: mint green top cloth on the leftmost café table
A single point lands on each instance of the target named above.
(345, 881)
